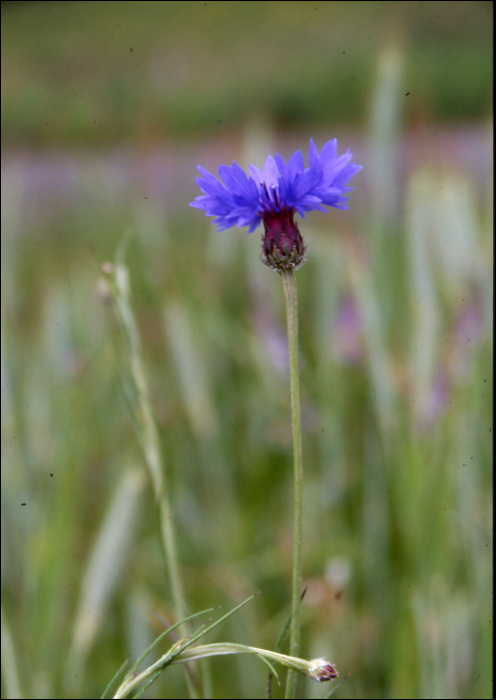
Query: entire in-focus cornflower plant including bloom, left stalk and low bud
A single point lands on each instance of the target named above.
(272, 196)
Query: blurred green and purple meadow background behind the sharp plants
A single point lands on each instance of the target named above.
(107, 108)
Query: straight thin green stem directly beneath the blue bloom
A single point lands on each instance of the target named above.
(291, 297)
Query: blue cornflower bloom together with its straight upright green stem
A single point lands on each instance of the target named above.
(273, 197)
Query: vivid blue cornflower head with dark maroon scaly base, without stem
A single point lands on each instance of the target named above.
(275, 194)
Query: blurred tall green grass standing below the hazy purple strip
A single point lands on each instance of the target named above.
(396, 380)
